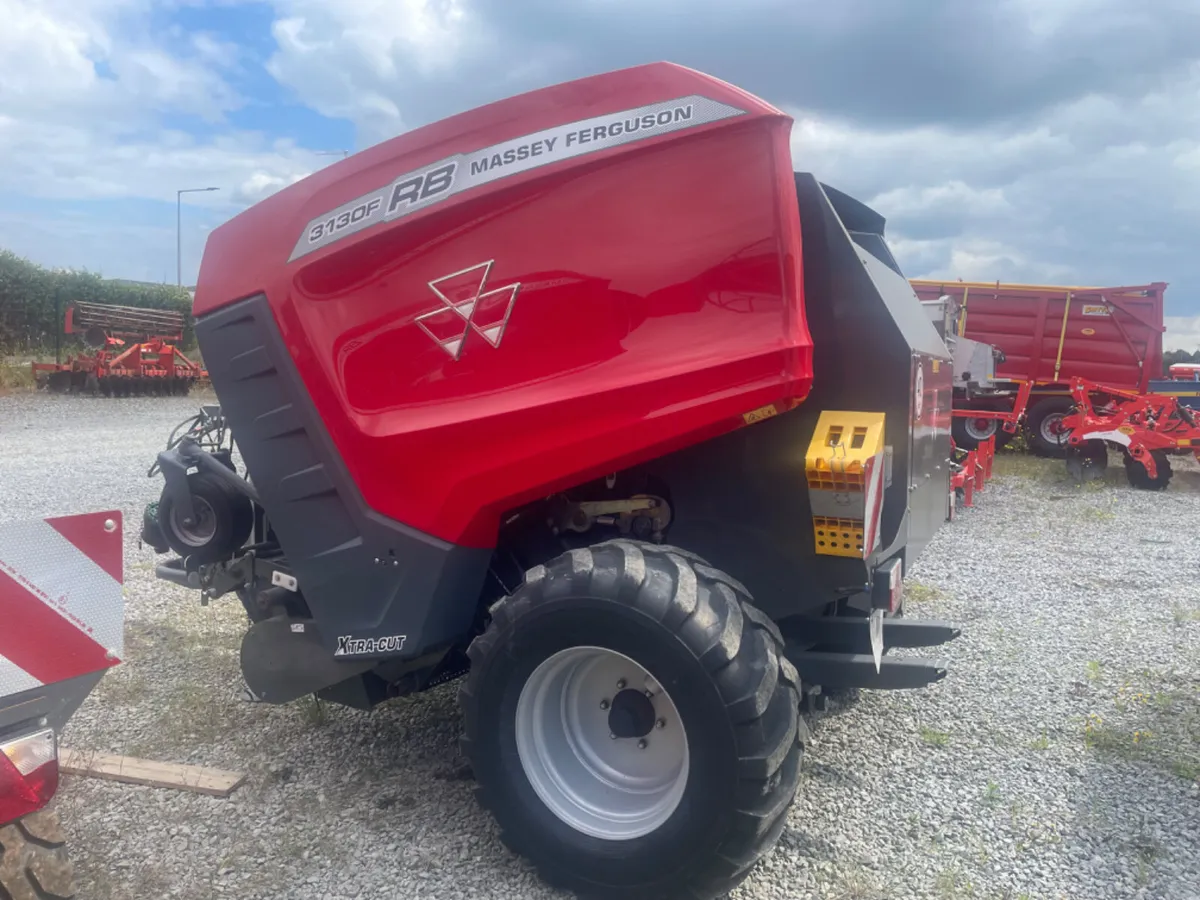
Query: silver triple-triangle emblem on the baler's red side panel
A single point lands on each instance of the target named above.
(466, 305)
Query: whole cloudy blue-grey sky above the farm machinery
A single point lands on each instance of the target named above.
(1051, 141)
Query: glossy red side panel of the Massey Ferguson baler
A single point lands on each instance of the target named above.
(659, 301)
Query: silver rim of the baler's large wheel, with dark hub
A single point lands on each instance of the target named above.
(605, 787)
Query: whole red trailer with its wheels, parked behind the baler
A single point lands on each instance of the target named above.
(1049, 335)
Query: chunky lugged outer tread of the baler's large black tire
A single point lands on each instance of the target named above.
(742, 652)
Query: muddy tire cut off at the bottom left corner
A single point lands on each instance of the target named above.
(34, 862)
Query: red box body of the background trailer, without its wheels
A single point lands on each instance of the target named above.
(1111, 335)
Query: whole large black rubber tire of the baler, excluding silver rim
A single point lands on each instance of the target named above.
(695, 629)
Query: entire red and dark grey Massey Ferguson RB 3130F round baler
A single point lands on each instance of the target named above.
(585, 395)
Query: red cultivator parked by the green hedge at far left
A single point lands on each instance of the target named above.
(153, 365)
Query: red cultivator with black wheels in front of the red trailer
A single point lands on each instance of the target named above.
(1149, 428)
